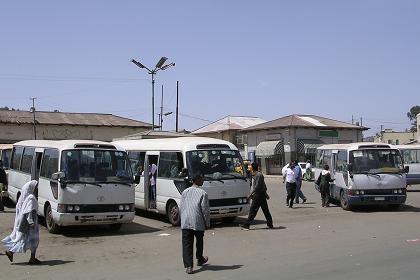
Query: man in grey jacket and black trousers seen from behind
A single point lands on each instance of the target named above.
(195, 219)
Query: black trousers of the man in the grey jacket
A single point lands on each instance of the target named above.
(188, 244)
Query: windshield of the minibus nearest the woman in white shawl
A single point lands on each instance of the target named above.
(96, 166)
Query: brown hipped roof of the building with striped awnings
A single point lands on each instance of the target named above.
(309, 121)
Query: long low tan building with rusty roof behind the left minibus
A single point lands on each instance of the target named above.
(20, 125)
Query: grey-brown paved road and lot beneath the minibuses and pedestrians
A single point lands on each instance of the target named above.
(310, 242)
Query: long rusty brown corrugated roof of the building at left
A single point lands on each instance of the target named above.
(61, 118)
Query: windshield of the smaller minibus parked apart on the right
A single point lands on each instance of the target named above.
(374, 161)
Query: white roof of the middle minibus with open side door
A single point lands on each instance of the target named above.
(175, 144)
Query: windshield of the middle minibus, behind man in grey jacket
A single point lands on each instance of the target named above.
(216, 164)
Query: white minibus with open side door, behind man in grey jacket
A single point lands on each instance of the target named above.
(219, 161)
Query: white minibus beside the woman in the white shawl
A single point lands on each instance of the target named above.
(80, 181)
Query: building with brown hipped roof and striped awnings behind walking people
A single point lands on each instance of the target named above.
(276, 142)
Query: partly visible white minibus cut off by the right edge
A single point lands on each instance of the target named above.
(411, 157)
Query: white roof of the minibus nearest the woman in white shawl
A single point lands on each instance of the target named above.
(66, 144)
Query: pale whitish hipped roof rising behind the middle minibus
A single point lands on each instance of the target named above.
(229, 123)
